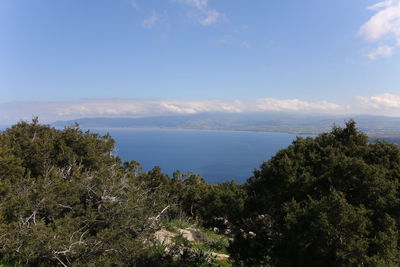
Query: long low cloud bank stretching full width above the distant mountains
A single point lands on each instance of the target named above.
(383, 104)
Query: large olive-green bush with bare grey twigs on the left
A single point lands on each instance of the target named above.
(65, 199)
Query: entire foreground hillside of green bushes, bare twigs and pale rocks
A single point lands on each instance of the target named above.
(66, 200)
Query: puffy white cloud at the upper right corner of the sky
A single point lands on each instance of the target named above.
(383, 27)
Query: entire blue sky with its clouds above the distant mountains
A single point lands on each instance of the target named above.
(63, 59)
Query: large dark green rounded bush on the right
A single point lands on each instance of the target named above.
(332, 200)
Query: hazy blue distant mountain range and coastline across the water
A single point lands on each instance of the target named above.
(374, 126)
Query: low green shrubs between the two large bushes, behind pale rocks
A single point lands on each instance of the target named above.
(191, 198)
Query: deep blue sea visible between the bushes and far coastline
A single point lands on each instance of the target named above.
(216, 155)
